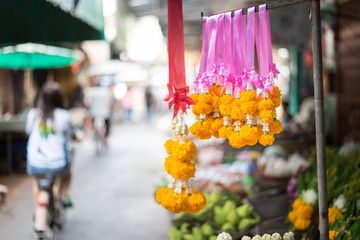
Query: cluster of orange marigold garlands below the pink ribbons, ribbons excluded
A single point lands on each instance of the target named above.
(243, 117)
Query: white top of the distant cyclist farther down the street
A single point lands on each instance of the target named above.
(100, 102)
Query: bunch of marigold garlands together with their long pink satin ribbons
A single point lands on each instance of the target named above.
(243, 101)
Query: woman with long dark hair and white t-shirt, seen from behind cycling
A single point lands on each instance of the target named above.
(49, 128)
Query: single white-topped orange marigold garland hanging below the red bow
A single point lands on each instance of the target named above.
(179, 195)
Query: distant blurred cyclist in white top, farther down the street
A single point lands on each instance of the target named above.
(100, 102)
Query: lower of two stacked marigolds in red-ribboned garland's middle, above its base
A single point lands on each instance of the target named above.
(179, 169)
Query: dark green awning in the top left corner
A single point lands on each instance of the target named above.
(50, 21)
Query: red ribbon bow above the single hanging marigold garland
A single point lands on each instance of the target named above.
(179, 98)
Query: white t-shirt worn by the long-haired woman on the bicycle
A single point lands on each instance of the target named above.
(50, 151)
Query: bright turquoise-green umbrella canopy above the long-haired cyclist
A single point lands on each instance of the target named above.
(36, 56)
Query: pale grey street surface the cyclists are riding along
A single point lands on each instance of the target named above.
(113, 194)
